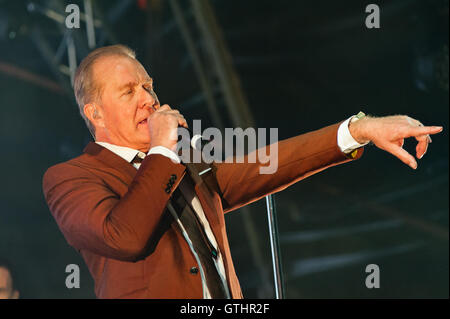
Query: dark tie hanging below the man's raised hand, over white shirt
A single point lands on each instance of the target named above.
(200, 242)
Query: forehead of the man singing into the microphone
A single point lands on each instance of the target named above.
(115, 70)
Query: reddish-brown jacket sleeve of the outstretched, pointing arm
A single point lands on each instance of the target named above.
(298, 157)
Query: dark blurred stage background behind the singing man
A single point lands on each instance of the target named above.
(302, 65)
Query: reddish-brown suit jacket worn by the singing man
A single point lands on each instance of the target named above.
(115, 215)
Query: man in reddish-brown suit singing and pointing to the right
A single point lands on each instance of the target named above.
(144, 225)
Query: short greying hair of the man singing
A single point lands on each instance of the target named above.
(84, 87)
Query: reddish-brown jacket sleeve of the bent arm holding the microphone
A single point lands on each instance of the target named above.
(93, 217)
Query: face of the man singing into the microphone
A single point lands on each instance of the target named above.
(127, 100)
